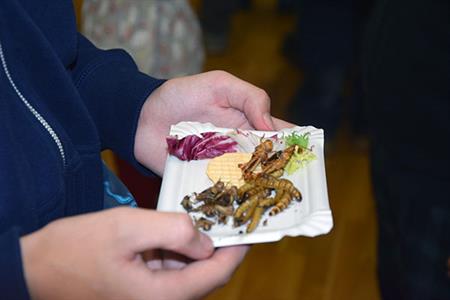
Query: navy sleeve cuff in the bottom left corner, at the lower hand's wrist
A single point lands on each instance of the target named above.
(12, 279)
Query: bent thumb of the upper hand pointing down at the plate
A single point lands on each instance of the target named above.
(251, 100)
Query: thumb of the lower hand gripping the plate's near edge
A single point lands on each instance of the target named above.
(143, 229)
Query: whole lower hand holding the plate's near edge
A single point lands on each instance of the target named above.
(99, 256)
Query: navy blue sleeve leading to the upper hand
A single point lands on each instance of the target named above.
(114, 91)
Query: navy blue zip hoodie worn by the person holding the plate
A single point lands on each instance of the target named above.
(62, 101)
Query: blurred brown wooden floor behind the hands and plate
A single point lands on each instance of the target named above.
(340, 265)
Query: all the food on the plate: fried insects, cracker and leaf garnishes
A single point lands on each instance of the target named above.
(245, 185)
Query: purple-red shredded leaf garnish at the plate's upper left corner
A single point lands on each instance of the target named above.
(193, 147)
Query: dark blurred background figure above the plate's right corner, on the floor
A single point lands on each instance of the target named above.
(326, 46)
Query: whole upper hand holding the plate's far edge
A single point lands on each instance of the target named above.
(215, 97)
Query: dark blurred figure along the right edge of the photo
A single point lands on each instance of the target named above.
(407, 79)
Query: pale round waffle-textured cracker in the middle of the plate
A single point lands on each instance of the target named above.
(225, 168)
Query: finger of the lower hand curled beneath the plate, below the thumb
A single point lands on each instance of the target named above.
(201, 277)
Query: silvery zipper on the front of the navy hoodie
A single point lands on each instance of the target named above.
(30, 107)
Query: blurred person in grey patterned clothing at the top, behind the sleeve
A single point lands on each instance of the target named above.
(163, 37)
